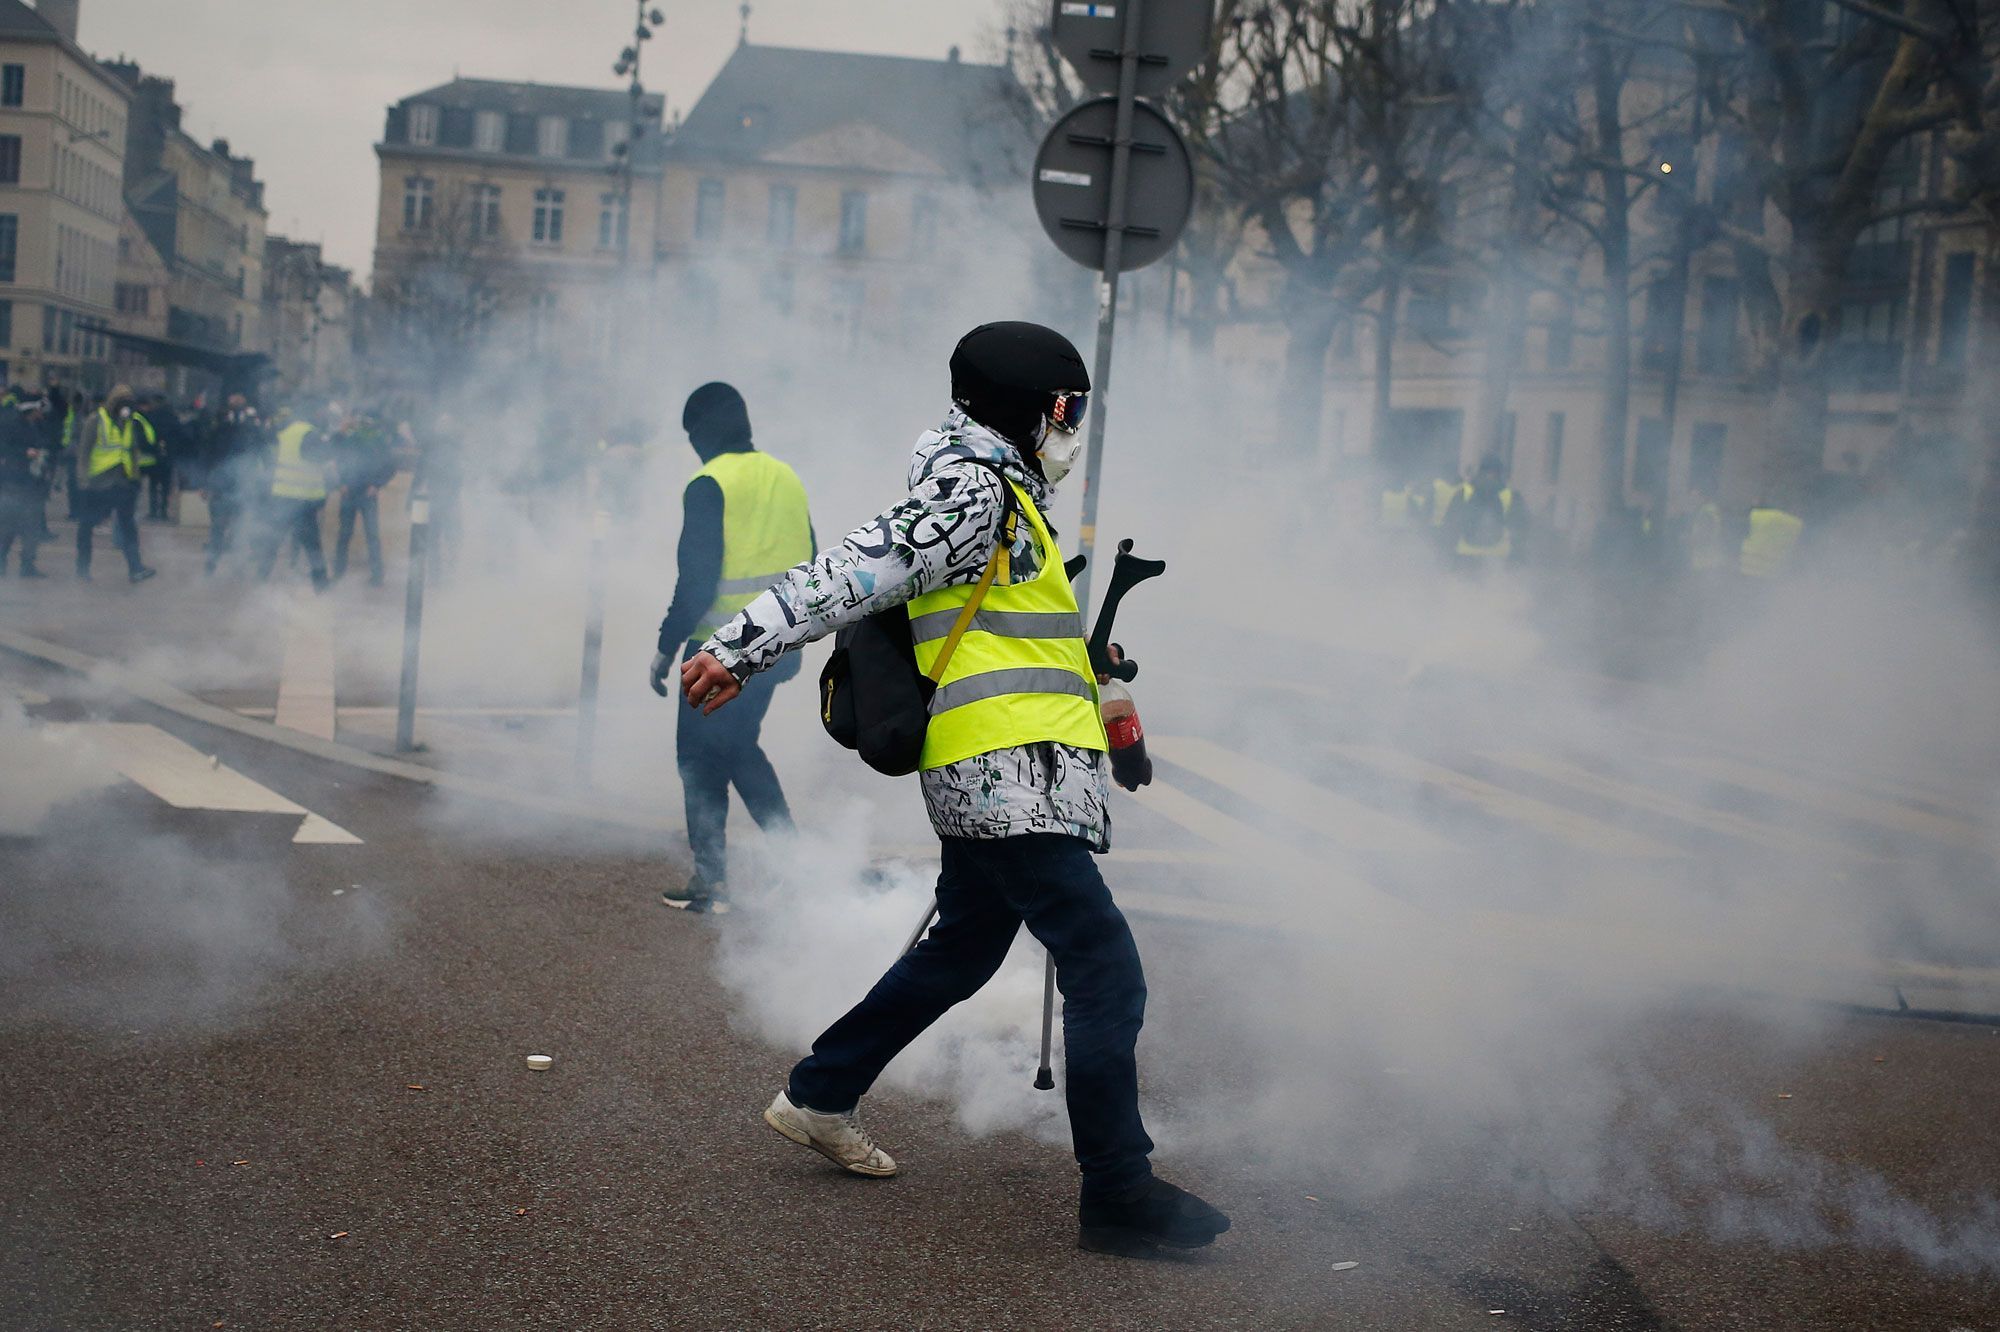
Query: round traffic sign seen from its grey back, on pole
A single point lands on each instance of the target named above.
(1073, 185)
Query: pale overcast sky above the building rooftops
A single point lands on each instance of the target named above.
(301, 85)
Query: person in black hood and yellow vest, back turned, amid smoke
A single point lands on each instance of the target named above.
(743, 525)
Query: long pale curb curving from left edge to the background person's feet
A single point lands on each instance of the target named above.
(185, 705)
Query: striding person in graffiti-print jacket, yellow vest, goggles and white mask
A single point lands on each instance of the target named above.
(1013, 773)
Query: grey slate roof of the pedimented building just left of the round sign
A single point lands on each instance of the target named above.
(959, 115)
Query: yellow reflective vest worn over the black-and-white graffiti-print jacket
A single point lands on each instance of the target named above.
(1021, 675)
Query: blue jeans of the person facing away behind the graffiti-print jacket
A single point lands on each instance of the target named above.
(723, 751)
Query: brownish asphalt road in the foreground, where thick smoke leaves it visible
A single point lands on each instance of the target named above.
(261, 1085)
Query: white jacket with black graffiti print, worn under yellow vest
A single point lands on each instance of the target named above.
(939, 537)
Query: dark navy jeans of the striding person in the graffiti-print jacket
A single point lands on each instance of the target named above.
(987, 891)
